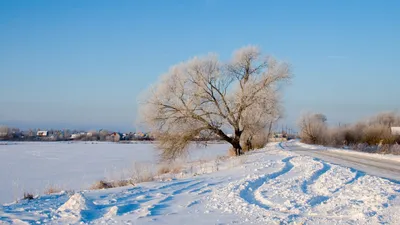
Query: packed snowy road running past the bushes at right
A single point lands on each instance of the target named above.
(382, 167)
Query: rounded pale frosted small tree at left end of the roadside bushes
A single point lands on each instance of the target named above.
(313, 128)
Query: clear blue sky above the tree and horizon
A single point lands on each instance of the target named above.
(83, 63)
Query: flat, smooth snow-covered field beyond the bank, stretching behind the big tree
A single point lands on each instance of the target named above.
(34, 167)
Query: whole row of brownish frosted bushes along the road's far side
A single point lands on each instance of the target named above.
(371, 135)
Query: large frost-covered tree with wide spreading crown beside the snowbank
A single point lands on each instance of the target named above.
(205, 96)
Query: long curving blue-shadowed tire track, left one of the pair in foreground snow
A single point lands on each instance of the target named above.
(247, 194)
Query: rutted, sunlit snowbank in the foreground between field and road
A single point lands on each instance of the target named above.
(267, 186)
